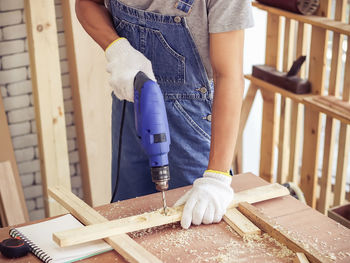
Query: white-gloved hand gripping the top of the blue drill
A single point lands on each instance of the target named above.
(124, 62)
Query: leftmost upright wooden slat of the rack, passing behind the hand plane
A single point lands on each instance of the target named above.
(269, 127)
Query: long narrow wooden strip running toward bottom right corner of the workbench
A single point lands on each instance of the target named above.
(280, 235)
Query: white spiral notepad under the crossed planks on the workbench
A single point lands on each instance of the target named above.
(39, 238)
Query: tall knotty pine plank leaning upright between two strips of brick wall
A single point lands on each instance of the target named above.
(48, 98)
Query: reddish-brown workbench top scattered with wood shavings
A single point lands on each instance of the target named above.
(218, 243)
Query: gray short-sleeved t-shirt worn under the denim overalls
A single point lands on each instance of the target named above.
(207, 16)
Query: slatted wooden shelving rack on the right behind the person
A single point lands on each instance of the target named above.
(314, 104)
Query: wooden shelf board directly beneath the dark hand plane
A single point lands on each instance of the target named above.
(328, 105)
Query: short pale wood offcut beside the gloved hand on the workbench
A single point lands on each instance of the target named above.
(242, 225)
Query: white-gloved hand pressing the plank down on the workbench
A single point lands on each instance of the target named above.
(208, 199)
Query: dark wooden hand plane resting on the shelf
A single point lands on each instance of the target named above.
(288, 81)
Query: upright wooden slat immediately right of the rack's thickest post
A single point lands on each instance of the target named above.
(333, 90)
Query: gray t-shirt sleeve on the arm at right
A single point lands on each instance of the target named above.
(228, 15)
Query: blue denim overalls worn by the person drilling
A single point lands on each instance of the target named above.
(166, 41)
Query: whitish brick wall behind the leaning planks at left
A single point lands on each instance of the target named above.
(16, 91)
